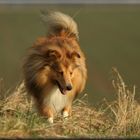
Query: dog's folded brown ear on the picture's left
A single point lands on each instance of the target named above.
(53, 54)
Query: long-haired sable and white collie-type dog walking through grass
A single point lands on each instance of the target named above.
(54, 68)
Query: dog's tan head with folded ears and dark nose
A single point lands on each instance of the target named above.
(63, 64)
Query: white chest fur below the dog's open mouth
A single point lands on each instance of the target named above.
(55, 99)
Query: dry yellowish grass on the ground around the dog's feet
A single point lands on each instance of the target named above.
(119, 118)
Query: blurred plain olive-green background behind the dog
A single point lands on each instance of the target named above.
(109, 36)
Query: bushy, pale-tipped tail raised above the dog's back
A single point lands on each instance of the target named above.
(59, 23)
